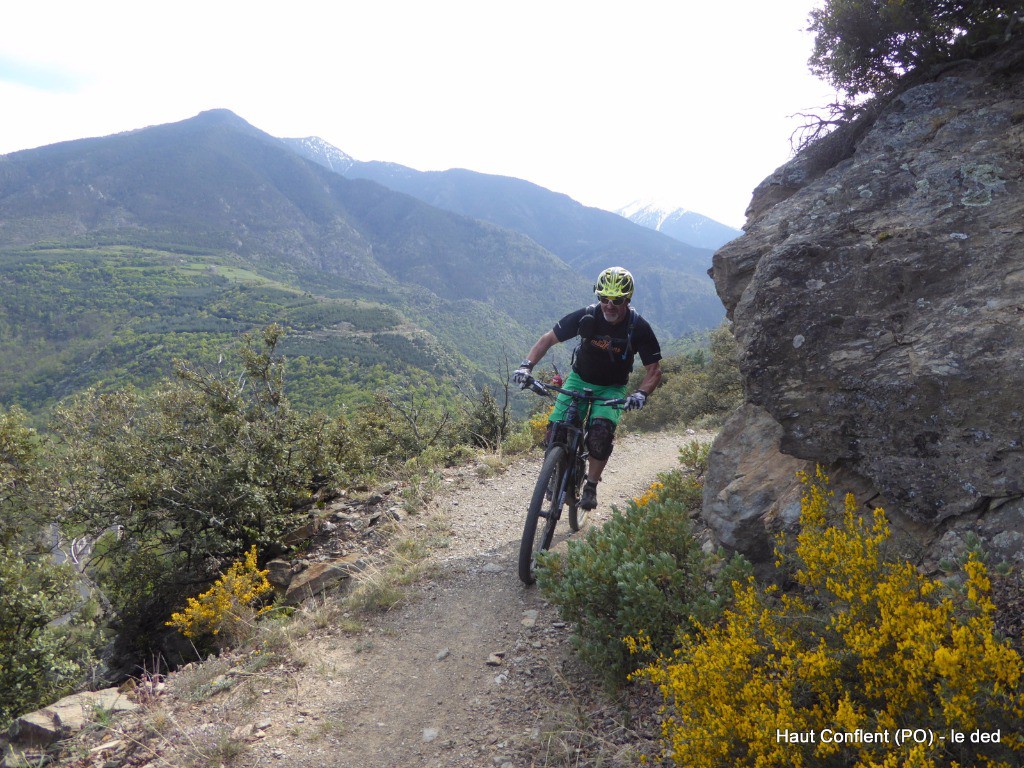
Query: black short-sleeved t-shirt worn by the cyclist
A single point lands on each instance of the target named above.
(605, 358)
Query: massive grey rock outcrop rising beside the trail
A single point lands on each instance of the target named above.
(878, 298)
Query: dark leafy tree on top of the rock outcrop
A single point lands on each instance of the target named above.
(865, 48)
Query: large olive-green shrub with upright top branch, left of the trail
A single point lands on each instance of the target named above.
(192, 477)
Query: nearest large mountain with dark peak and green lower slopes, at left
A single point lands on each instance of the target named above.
(119, 253)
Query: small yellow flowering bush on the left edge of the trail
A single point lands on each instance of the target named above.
(228, 605)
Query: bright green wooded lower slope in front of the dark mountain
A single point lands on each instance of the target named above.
(114, 316)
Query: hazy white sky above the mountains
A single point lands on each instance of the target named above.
(686, 102)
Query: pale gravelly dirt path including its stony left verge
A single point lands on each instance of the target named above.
(471, 669)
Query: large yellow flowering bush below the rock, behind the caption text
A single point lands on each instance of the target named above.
(867, 664)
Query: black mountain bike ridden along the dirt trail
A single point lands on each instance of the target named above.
(563, 476)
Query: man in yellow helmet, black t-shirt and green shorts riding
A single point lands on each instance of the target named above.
(612, 333)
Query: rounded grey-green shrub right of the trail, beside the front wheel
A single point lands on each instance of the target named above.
(643, 573)
